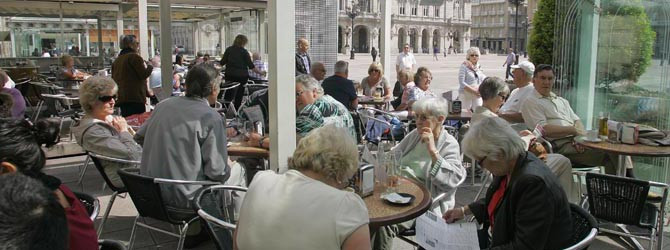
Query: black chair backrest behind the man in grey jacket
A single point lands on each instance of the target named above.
(146, 194)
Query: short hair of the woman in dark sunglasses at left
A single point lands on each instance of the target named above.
(93, 88)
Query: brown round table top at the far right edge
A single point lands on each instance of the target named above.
(624, 149)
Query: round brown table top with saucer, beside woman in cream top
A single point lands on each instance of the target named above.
(384, 214)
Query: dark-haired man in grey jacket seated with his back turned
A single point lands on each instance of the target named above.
(186, 140)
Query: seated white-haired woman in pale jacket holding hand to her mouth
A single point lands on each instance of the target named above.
(431, 156)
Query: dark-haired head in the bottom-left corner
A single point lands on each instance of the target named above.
(31, 216)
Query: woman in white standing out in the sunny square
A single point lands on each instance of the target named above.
(470, 76)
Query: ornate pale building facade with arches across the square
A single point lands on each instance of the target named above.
(428, 26)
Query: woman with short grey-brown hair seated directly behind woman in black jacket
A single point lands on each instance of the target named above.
(494, 91)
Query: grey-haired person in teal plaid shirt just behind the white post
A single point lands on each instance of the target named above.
(314, 110)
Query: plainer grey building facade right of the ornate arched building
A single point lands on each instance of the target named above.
(493, 25)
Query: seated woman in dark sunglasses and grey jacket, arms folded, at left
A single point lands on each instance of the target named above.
(102, 133)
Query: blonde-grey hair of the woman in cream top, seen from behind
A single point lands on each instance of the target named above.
(336, 160)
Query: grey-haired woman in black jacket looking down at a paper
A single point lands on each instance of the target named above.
(524, 207)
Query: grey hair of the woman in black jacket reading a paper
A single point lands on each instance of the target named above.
(492, 137)
